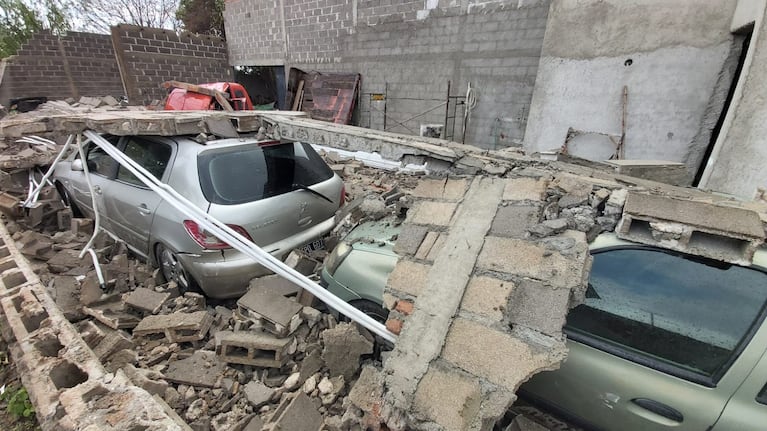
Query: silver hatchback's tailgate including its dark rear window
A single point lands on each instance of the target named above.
(273, 190)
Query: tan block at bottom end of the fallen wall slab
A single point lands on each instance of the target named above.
(440, 392)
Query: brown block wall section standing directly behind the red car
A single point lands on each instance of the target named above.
(150, 56)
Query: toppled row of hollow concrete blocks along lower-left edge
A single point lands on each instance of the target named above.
(65, 380)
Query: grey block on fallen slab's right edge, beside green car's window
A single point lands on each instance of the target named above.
(539, 307)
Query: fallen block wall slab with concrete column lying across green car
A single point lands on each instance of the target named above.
(489, 304)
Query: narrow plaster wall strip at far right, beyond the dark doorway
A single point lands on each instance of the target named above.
(737, 165)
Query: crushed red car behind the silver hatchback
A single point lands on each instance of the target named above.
(186, 99)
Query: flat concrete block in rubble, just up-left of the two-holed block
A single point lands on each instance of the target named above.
(176, 327)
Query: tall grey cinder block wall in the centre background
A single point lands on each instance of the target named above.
(407, 52)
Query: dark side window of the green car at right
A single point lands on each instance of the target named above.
(680, 314)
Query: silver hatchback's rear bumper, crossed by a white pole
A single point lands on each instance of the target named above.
(227, 274)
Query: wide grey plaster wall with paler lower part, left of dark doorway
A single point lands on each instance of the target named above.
(671, 56)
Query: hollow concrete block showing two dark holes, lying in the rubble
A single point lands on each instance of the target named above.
(257, 348)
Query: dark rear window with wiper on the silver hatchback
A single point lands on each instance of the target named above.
(247, 173)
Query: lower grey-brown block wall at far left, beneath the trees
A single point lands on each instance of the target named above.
(61, 66)
